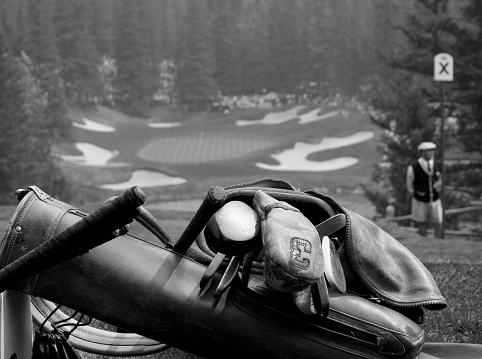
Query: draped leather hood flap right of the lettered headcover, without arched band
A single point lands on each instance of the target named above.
(383, 265)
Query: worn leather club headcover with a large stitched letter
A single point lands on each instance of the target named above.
(292, 247)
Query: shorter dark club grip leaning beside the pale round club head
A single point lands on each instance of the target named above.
(211, 203)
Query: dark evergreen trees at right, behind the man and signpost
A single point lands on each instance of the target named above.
(407, 103)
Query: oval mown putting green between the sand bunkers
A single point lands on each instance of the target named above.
(200, 148)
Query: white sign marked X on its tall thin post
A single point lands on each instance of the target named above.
(443, 72)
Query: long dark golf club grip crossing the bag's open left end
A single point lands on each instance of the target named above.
(90, 232)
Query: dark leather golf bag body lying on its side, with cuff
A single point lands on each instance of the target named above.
(154, 291)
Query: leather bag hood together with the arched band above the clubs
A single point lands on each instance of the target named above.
(375, 264)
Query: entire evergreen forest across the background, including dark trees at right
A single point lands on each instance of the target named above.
(185, 53)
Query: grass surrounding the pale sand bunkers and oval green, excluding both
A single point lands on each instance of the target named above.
(131, 135)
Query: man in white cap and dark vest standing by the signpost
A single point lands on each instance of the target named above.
(424, 182)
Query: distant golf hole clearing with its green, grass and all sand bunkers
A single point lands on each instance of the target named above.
(334, 144)
